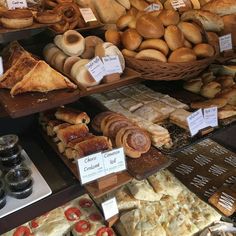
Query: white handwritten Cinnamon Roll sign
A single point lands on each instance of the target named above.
(114, 161)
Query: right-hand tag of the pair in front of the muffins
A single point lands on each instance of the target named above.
(112, 64)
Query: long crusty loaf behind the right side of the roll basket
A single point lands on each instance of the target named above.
(210, 21)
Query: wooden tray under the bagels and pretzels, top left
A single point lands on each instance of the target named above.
(7, 35)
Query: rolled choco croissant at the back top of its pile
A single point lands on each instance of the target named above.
(72, 116)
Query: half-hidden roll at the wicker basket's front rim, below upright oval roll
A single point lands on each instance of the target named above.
(182, 55)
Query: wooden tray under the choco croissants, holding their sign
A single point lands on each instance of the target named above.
(123, 177)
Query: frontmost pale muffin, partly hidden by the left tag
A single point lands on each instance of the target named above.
(81, 75)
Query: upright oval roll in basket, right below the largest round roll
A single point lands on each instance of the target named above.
(174, 37)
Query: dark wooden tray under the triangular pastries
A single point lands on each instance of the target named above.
(29, 103)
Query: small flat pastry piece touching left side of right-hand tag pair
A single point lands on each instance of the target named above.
(179, 118)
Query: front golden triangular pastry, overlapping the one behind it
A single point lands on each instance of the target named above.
(42, 78)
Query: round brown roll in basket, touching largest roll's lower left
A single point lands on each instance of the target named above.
(131, 39)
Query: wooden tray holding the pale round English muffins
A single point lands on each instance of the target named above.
(129, 76)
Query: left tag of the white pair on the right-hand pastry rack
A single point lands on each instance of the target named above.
(196, 122)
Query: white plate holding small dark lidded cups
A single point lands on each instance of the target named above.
(40, 190)
